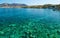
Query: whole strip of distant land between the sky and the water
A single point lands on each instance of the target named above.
(4, 5)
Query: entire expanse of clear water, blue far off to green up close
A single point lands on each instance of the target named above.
(29, 23)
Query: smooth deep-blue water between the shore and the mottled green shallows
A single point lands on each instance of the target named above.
(46, 15)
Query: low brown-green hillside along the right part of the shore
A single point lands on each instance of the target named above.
(44, 6)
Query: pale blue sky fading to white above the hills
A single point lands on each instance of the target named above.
(32, 2)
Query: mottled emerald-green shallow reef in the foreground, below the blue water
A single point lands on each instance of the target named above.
(29, 29)
